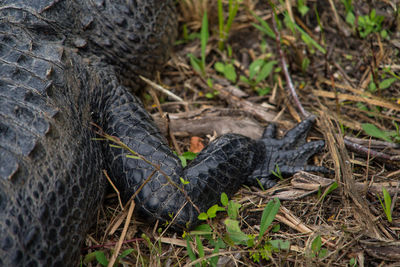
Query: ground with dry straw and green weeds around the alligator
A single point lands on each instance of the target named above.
(343, 66)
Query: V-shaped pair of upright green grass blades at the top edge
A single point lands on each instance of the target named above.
(224, 28)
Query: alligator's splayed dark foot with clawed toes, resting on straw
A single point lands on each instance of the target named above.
(288, 155)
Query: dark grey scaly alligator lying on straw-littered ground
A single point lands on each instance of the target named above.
(65, 65)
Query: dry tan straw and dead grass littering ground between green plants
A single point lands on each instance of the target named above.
(336, 87)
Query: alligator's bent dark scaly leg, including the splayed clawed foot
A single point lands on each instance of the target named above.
(223, 166)
